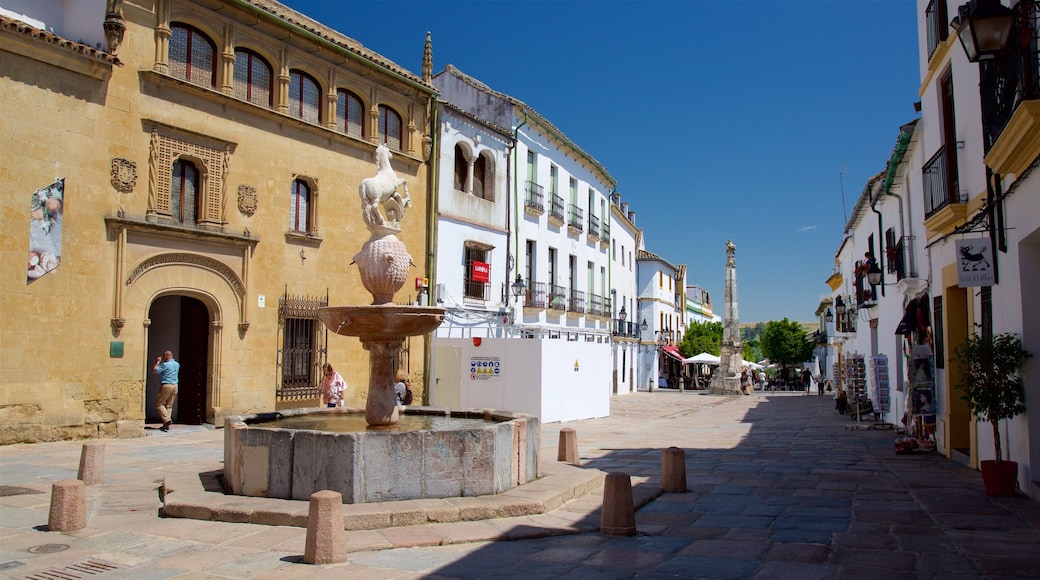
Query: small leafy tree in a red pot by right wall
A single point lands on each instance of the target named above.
(994, 391)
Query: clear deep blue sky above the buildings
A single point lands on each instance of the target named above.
(726, 120)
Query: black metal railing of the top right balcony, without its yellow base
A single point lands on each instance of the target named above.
(1006, 83)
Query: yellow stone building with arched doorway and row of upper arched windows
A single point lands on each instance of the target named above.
(184, 176)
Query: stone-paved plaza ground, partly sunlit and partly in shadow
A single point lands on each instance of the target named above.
(779, 488)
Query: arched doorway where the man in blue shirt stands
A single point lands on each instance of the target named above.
(180, 325)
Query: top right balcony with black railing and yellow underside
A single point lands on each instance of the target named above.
(1010, 91)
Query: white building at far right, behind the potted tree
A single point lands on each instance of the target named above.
(981, 188)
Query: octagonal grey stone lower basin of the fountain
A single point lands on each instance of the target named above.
(489, 457)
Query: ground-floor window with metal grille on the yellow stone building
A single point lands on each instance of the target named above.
(303, 350)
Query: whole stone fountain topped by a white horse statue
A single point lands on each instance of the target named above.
(293, 454)
